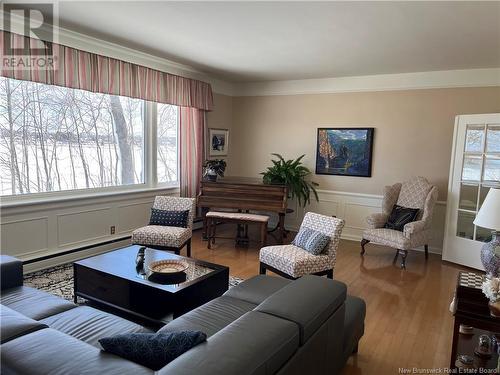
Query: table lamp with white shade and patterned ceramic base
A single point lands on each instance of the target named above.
(489, 217)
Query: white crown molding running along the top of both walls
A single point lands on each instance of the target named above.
(380, 82)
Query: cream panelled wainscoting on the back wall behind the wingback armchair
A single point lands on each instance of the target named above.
(354, 208)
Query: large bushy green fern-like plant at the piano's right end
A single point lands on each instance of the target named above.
(294, 175)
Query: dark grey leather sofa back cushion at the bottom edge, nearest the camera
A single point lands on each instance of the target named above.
(254, 344)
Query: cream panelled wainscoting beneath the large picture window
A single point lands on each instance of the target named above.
(49, 228)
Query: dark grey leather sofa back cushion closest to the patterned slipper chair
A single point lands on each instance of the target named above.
(308, 301)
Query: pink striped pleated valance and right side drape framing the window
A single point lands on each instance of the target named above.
(96, 73)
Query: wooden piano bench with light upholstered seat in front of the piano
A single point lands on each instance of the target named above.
(240, 218)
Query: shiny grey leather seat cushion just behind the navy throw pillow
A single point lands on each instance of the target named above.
(88, 324)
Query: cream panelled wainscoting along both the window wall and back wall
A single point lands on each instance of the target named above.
(42, 229)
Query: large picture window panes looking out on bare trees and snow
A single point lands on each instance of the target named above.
(55, 138)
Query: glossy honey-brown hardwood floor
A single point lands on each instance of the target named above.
(408, 323)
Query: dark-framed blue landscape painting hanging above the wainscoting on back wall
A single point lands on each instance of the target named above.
(344, 151)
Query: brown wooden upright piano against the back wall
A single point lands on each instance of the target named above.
(244, 195)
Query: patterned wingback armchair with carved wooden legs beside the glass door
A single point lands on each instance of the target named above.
(415, 193)
